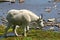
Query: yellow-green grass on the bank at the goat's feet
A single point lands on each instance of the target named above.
(33, 34)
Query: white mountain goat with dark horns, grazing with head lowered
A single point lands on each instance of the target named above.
(22, 18)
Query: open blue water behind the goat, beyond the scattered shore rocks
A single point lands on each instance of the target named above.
(36, 6)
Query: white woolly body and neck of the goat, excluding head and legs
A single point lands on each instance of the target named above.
(21, 16)
